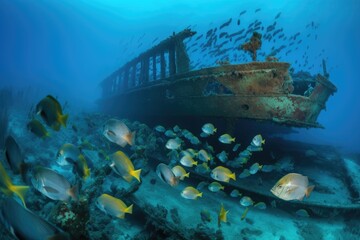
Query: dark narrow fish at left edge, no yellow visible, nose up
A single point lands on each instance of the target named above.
(13, 156)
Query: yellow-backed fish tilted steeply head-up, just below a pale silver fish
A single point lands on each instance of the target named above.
(123, 166)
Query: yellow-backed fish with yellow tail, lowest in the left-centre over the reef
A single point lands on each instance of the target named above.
(113, 206)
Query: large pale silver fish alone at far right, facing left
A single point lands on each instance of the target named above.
(292, 186)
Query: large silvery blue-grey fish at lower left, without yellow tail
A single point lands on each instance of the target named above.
(53, 185)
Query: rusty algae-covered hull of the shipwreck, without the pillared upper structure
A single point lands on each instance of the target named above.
(259, 90)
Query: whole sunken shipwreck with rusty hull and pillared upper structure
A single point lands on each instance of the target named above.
(160, 83)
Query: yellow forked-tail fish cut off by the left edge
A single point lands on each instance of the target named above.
(8, 188)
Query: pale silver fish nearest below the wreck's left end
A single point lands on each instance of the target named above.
(117, 132)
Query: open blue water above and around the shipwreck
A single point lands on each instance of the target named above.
(66, 48)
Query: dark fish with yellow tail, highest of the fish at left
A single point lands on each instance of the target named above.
(50, 111)
